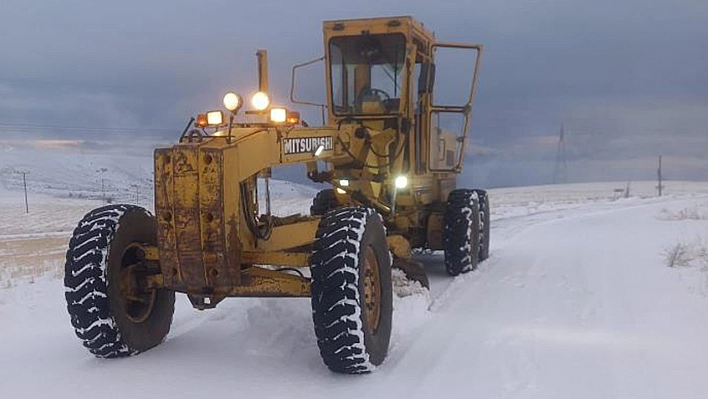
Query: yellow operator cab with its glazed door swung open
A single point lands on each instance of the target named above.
(390, 74)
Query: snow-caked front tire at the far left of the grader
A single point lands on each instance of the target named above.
(107, 322)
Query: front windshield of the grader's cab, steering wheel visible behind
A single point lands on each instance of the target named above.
(366, 73)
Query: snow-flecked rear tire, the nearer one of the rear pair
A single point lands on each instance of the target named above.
(461, 232)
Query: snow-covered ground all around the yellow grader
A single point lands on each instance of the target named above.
(587, 294)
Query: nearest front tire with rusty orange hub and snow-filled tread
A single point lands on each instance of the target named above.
(352, 294)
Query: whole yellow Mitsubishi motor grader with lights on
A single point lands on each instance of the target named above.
(392, 165)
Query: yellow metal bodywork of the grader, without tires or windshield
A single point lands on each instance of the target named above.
(206, 246)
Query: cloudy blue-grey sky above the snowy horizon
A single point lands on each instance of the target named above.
(628, 79)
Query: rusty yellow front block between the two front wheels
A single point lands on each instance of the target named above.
(192, 229)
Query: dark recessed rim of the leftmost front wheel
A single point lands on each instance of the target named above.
(138, 299)
